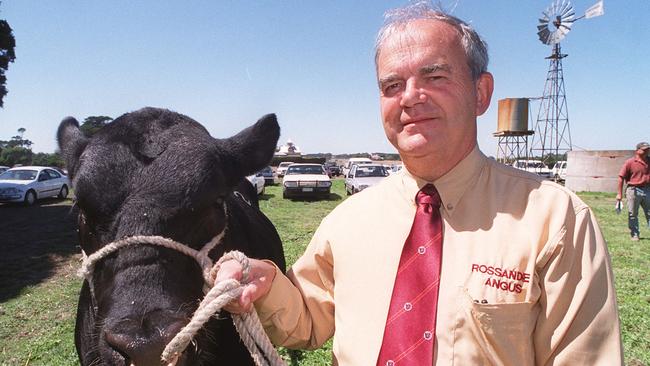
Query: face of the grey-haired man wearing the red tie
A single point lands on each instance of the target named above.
(429, 101)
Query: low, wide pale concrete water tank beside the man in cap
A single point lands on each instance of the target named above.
(595, 171)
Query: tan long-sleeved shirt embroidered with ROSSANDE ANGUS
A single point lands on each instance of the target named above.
(526, 278)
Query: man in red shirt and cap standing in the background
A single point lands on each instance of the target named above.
(636, 172)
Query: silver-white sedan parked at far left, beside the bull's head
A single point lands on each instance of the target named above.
(30, 183)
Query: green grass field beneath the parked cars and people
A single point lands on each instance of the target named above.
(37, 318)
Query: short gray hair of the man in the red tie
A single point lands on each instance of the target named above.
(474, 46)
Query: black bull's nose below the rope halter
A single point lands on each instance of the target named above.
(143, 340)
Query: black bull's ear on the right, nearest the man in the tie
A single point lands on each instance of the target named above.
(252, 149)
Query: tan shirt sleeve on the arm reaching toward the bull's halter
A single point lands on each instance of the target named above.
(298, 312)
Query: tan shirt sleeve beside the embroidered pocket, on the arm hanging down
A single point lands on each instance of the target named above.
(578, 323)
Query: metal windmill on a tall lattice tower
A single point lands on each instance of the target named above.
(552, 134)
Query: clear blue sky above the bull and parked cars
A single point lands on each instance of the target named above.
(226, 63)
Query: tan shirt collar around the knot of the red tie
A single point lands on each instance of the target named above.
(452, 185)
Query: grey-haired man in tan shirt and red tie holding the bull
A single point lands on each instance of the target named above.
(525, 277)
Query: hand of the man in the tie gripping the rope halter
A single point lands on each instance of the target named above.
(261, 276)
